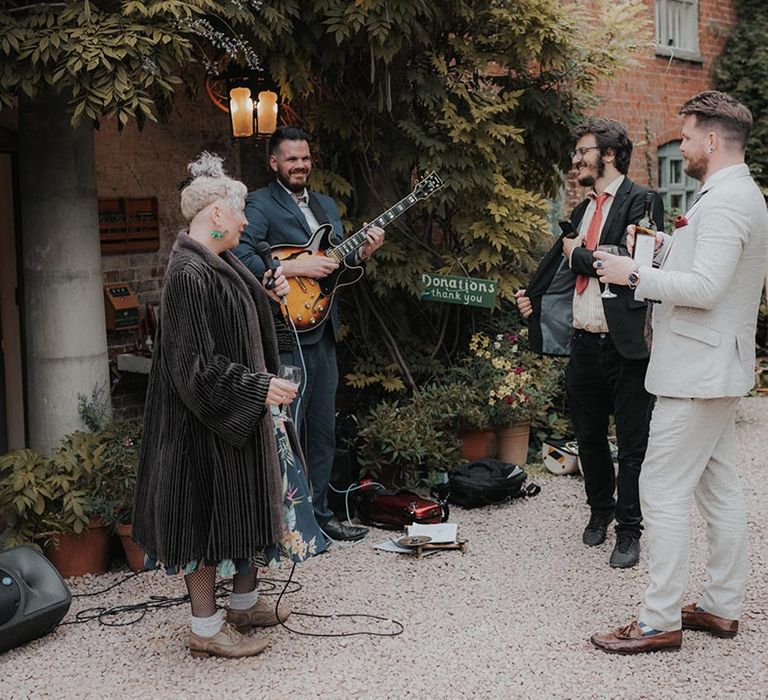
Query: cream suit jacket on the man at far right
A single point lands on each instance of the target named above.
(709, 286)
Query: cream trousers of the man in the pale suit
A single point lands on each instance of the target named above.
(691, 454)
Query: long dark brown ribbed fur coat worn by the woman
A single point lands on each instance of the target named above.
(209, 484)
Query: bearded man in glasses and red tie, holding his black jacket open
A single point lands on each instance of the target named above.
(604, 337)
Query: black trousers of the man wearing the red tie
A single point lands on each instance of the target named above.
(600, 382)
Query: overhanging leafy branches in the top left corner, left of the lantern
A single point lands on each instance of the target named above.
(117, 59)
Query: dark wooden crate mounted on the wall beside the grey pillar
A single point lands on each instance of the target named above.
(128, 225)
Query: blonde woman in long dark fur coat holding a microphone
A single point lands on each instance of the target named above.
(220, 485)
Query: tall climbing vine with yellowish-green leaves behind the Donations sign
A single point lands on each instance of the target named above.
(482, 91)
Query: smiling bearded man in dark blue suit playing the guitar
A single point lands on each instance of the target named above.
(286, 213)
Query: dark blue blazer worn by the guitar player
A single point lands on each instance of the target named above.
(274, 216)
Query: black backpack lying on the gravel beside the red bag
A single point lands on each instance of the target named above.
(488, 482)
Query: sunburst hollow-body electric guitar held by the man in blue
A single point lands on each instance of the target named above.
(309, 301)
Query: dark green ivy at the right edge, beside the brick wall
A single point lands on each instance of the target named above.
(742, 70)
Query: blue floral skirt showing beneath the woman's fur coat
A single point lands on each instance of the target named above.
(301, 537)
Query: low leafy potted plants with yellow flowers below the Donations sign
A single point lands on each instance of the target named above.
(411, 440)
